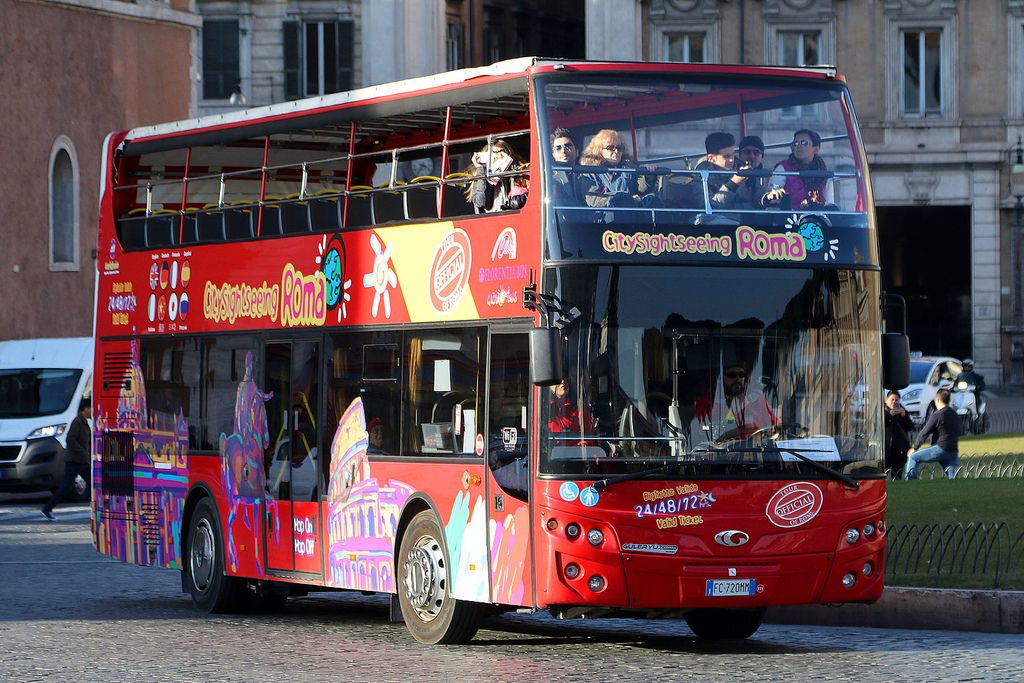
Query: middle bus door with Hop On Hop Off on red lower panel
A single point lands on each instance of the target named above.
(292, 513)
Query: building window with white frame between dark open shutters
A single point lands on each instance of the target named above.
(318, 58)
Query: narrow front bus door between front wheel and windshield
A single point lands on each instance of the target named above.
(509, 471)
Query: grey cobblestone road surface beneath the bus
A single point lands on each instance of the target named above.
(68, 615)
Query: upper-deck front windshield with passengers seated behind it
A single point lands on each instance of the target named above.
(680, 149)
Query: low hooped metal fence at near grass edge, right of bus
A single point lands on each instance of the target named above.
(987, 551)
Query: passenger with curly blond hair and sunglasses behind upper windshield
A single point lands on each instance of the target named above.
(619, 189)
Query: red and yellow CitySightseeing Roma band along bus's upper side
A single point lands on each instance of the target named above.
(417, 274)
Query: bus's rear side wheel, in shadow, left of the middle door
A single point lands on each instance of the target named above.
(211, 590)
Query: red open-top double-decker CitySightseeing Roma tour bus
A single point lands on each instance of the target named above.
(386, 340)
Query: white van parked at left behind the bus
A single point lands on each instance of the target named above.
(42, 382)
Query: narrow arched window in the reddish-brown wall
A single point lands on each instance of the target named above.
(64, 206)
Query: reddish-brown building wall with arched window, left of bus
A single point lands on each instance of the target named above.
(75, 70)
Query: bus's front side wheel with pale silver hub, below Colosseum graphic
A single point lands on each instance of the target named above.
(431, 613)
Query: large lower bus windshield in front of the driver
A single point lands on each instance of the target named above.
(728, 371)
